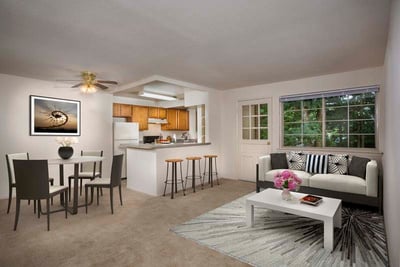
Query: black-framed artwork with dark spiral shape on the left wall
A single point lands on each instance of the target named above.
(54, 116)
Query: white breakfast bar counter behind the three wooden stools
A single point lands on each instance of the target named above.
(146, 167)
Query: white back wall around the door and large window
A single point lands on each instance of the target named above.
(229, 108)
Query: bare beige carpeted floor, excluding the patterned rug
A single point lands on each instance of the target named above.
(136, 235)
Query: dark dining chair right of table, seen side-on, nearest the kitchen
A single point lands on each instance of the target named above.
(113, 181)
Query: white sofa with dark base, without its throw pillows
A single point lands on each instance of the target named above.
(349, 188)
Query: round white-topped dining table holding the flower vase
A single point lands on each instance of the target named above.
(76, 161)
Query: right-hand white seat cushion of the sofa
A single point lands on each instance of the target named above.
(338, 182)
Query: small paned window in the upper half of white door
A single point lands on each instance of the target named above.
(255, 121)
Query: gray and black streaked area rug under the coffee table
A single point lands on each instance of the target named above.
(281, 239)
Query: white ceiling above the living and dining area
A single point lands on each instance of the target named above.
(220, 44)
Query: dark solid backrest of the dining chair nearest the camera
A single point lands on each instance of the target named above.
(32, 179)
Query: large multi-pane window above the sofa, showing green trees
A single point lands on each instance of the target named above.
(343, 118)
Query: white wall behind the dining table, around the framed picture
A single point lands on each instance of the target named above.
(96, 123)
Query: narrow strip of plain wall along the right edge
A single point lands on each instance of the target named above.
(391, 187)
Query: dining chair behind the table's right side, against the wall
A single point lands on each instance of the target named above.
(88, 170)
